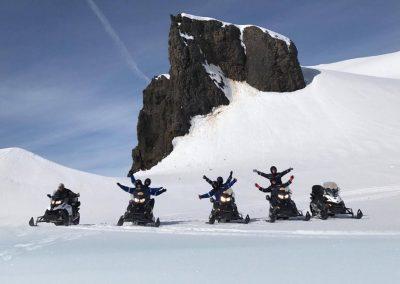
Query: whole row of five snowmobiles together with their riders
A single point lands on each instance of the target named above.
(325, 202)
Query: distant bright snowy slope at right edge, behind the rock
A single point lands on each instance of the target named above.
(386, 66)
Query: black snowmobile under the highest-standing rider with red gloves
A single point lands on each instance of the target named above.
(283, 207)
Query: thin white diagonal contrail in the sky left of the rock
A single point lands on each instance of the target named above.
(117, 40)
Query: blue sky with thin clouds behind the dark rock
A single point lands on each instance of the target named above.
(71, 89)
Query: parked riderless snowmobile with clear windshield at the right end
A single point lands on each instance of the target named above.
(326, 202)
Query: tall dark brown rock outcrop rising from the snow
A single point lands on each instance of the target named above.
(264, 62)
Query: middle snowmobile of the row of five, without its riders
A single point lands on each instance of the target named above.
(225, 211)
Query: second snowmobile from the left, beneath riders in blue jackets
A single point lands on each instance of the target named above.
(140, 211)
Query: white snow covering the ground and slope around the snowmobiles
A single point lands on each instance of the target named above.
(342, 127)
